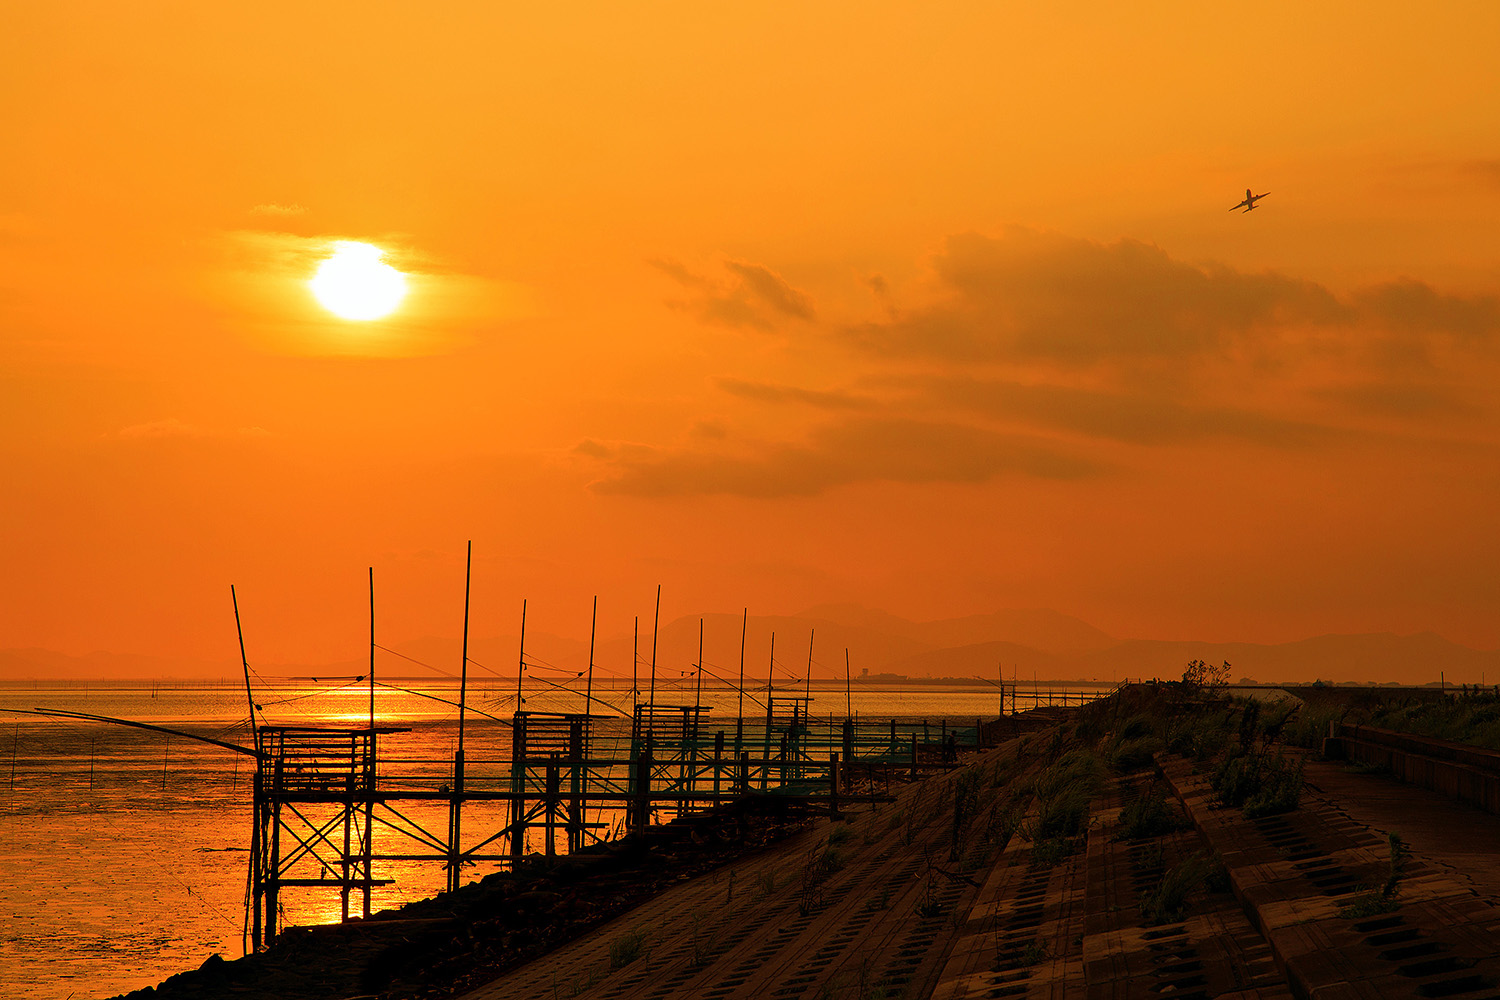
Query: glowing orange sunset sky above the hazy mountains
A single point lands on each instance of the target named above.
(934, 310)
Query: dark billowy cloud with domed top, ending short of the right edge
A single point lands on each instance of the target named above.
(1030, 296)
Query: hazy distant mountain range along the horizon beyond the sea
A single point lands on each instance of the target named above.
(1031, 642)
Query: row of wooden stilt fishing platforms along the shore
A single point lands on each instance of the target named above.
(326, 812)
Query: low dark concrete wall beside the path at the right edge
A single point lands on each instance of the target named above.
(1463, 773)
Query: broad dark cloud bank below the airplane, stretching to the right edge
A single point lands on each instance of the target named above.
(1060, 310)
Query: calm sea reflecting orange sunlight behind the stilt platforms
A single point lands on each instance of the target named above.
(125, 852)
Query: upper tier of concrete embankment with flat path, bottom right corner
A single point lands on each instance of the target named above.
(1309, 878)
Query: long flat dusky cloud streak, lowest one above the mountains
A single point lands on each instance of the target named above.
(857, 451)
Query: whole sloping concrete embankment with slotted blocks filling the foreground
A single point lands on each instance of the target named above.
(902, 918)
